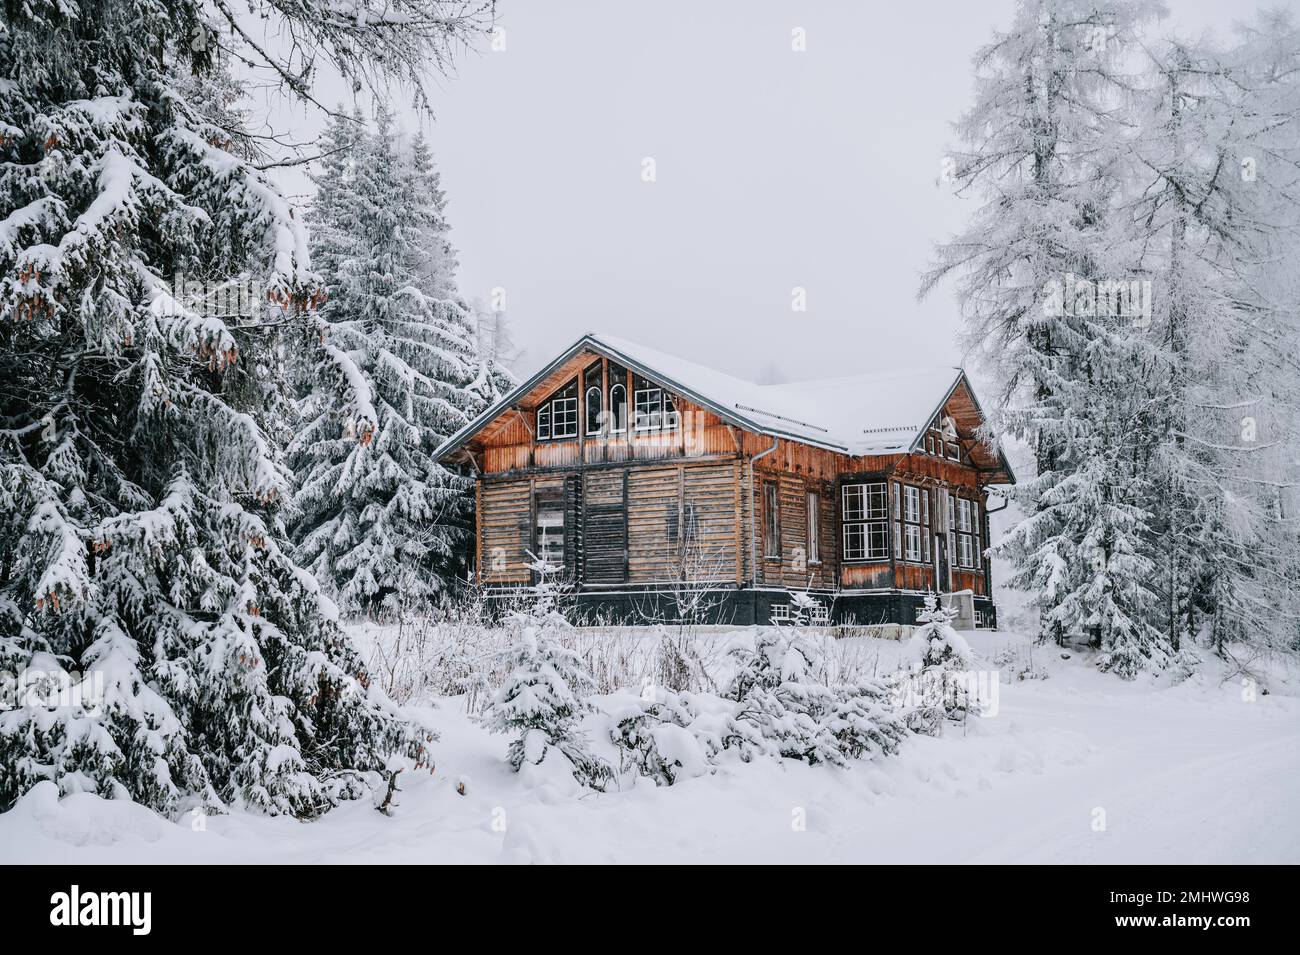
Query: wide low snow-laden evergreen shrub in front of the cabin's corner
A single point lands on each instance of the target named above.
(786, 710)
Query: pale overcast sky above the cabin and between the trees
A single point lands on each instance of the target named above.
(775, 170)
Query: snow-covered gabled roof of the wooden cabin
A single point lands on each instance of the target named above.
(878, 414)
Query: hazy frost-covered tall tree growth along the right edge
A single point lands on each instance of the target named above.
(1212, 216)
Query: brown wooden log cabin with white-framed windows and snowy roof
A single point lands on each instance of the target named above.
(658, 484)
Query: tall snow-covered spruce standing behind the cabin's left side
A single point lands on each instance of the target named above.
(379, 522)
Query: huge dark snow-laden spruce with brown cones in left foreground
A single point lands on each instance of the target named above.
(141, 546)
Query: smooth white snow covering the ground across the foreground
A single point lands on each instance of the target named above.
(1076, 769)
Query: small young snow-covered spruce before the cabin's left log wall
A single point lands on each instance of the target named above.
(545, 696)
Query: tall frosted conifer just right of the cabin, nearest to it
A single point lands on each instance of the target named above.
(1045, 146)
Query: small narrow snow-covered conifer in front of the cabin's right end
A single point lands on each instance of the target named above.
(938, 684)
